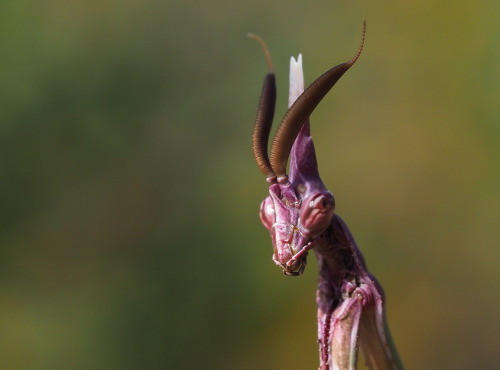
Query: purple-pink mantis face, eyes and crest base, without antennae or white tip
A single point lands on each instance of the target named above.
(299, 210)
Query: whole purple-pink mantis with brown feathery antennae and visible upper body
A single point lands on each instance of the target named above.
(300, 216)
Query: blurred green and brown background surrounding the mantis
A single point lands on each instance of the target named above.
(130, 236)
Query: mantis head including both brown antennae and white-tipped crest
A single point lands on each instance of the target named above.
(299, 209)
